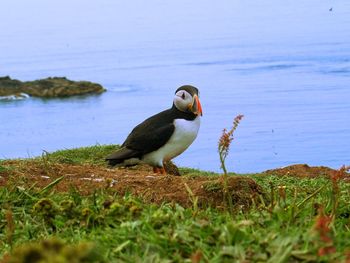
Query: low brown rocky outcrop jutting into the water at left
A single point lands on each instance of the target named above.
(48, 88)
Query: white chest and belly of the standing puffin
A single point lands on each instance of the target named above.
(185, 133)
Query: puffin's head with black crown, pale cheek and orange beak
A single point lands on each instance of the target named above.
(187, 100)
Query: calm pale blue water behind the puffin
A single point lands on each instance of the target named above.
(284, 65)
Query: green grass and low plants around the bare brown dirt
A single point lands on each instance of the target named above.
(294, 226)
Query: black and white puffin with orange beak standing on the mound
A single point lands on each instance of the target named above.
(163, 136)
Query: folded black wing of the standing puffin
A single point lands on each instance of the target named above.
(151, 134)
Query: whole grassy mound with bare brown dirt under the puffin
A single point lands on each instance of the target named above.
(62, 202)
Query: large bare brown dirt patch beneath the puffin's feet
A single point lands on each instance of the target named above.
(139, 181)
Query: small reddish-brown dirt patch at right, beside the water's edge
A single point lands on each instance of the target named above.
(303, 170)
